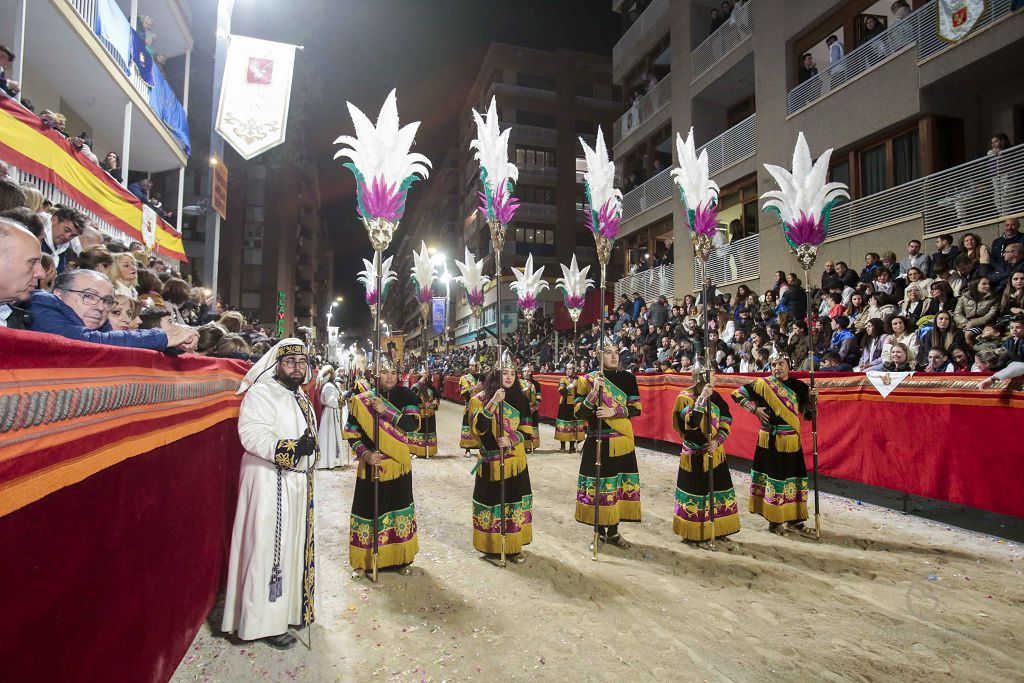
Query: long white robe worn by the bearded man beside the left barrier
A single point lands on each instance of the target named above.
(270, 413)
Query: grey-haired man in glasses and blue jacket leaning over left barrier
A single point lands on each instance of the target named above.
(79, 308)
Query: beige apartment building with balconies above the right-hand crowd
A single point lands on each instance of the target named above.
(909, 115)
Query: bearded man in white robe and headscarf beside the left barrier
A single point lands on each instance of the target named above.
(271, 573)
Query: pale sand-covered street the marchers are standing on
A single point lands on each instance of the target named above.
(884, 596)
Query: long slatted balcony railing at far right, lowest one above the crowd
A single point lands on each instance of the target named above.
(978, 193)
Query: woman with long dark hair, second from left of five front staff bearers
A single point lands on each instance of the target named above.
(500, 417)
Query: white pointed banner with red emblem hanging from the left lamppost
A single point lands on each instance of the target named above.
(255, 95)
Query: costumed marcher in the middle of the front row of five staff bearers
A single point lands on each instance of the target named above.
(608, 410)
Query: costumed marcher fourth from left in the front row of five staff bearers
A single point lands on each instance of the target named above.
(703, 421)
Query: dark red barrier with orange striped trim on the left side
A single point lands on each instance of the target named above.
(119, 474)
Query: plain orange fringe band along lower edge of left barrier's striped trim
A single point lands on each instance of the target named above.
(25, 491)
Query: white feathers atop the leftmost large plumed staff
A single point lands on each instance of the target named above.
(383, 151)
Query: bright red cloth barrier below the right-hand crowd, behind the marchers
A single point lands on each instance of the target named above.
(935, 436)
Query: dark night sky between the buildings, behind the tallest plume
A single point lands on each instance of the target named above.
(431, 51)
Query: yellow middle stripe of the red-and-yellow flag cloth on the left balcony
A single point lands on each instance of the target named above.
(32, 149)
